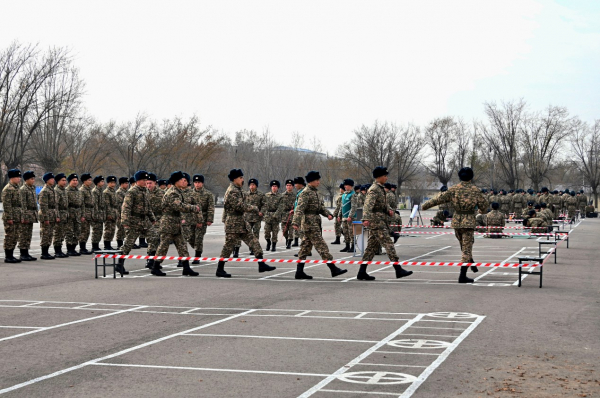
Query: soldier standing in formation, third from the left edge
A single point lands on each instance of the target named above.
(48, 214)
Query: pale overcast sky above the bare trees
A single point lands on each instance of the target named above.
(321, 68)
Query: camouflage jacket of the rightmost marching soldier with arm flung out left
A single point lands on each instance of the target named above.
(465, 197)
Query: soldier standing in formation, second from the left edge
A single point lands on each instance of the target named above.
(28, 216)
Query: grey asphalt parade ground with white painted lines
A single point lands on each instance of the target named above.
(65, 333)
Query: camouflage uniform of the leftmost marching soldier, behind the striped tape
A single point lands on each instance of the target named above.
(136, 214)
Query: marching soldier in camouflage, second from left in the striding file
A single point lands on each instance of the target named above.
(173, 205)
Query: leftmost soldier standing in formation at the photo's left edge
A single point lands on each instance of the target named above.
(11, 217)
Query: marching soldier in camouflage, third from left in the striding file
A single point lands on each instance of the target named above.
(235, 225)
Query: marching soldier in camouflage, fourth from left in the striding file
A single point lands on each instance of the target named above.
(308, 214)
